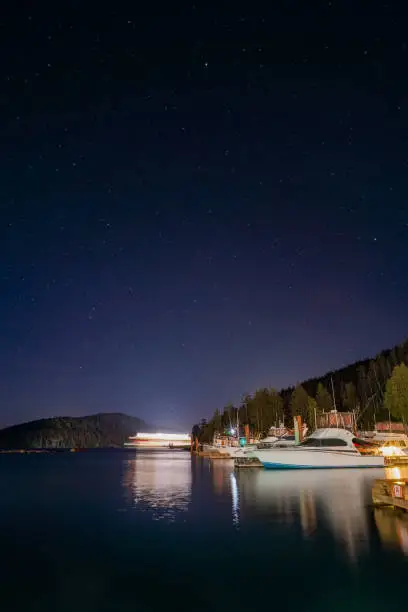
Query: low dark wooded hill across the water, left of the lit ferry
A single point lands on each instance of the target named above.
(103, 430)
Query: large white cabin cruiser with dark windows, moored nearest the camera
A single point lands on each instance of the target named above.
(325, 448)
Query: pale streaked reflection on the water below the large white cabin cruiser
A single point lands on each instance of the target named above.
(339, 500)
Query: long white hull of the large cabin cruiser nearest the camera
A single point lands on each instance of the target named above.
(294, 459)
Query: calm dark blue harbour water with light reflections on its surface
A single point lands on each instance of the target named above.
(113, 531)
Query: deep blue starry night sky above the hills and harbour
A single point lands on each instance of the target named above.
(197, 200)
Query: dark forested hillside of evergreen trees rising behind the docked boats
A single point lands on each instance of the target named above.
(374, 389)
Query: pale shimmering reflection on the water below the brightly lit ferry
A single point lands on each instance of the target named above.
(159, 482)
